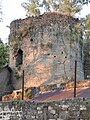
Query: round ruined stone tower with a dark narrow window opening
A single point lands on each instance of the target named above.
(46, 48)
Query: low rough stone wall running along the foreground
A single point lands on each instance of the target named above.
(71, 109)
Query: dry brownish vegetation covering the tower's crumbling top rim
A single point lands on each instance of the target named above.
(50, 18)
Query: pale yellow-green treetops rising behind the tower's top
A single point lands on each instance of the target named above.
(35, 7)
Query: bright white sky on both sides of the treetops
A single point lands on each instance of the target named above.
(12, 10)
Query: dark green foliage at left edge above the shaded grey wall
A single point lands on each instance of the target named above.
(3, 55)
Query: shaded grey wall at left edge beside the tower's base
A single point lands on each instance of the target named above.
(6, 86)
